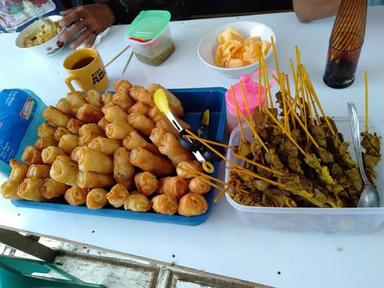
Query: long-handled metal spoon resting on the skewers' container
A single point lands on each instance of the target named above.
(369, 196)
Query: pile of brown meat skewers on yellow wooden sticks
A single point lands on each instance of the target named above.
(297, 157)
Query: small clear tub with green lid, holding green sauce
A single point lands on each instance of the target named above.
(150, 37)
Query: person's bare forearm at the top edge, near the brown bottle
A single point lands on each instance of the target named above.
(307, 10)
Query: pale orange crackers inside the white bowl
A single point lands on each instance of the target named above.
(236, 51)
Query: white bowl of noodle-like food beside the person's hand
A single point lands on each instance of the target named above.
(42, 36)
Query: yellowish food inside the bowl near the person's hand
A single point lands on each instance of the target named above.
(46, 31)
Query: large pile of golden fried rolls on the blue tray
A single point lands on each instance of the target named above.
(117, 150)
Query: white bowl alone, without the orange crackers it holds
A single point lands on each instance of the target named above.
(208, 45)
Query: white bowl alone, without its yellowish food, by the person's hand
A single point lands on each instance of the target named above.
(46, 49)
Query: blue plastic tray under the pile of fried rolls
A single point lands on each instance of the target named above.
(194, 100)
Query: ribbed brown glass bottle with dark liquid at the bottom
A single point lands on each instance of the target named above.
(345, 43)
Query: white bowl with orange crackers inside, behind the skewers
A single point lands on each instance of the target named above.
(230, 59)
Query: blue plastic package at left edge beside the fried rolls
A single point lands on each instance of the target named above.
(20, 117)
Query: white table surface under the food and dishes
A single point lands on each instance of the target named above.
(222, 245)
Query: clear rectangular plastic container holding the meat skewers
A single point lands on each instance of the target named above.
(330, 220)
